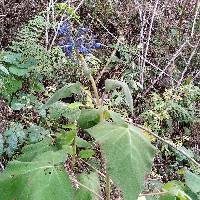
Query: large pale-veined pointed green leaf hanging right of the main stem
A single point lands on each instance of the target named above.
(128, 154)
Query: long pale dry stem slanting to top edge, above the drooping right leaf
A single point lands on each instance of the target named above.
(148, 40)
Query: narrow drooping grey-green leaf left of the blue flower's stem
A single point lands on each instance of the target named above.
(64, 92)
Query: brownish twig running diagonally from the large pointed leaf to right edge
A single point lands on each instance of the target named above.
(168, 143)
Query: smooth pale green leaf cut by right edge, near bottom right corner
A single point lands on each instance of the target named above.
(192, 181)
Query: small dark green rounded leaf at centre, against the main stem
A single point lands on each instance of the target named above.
(88, 118)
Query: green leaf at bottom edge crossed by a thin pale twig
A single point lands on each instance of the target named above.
(90, 181)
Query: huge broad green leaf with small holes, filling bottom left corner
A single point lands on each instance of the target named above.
(42, 178)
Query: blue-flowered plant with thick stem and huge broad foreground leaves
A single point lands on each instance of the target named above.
(46, 167)
